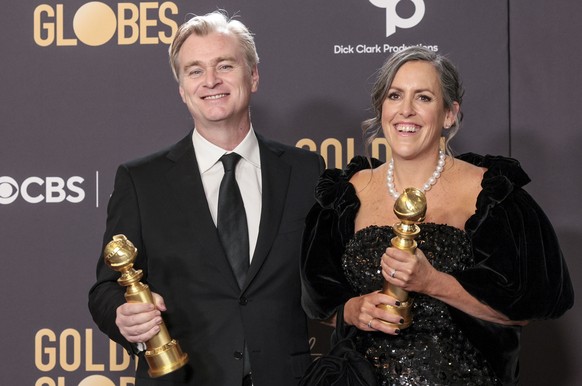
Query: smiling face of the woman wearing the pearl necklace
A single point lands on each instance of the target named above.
(413, 113)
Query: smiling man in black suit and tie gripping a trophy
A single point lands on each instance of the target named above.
(236, 330)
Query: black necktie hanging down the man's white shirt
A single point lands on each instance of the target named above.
(232, 220)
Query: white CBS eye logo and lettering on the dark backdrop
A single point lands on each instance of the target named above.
(35, 189)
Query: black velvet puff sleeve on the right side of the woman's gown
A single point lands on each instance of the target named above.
(519, 267)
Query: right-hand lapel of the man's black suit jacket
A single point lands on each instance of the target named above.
(275, 179)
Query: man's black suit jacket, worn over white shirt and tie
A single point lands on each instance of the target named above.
(159, 203)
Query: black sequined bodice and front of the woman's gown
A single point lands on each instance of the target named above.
(433, 350)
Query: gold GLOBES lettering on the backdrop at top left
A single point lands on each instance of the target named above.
(95, 23)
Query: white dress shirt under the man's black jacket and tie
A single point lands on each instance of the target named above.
(247, 174)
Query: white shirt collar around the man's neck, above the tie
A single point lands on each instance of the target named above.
(208, 154)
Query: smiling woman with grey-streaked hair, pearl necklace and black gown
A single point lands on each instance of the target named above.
(480, 271)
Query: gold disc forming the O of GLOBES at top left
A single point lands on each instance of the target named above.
(95, 23)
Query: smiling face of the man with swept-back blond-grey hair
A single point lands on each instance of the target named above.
(215, 80)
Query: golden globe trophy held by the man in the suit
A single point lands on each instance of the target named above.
(163, 354)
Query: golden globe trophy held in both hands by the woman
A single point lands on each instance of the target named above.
(410, 208)
